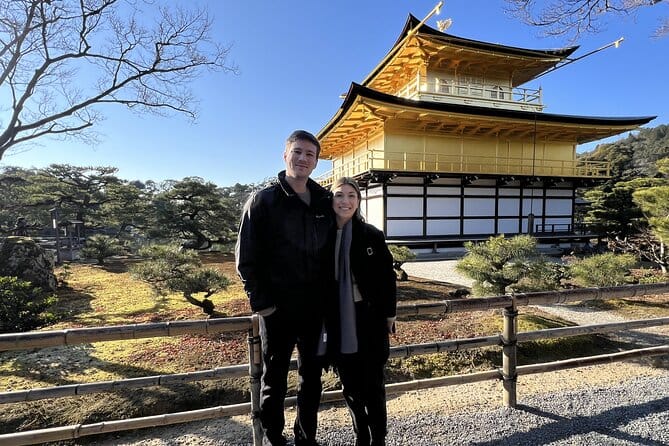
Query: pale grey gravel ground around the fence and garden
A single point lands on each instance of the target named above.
(624, 403)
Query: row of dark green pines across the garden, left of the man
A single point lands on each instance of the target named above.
(193, 212)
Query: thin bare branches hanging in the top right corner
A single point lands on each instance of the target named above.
(576, 17)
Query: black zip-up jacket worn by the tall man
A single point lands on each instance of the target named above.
(281, 245)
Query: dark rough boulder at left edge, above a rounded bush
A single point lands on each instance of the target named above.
(25, 259)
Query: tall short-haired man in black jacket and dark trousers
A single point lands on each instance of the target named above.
(279, 251)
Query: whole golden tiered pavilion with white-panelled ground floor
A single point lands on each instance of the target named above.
(449, 145)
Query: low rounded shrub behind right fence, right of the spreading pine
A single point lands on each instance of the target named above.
(601, 270)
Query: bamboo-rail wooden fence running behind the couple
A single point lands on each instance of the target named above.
(507, 339)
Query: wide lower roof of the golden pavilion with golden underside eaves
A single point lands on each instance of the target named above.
(365, 110)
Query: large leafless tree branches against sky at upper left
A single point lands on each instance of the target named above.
(60, 60)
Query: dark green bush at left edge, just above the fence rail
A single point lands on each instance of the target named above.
(23, 306)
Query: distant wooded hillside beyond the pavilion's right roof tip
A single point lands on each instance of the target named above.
(634, 156)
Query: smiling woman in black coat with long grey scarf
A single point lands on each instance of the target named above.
(364, 310)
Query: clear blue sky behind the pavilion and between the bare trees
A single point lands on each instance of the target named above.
(297, 57)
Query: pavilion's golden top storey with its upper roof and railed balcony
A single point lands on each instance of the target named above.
(430, 65)
